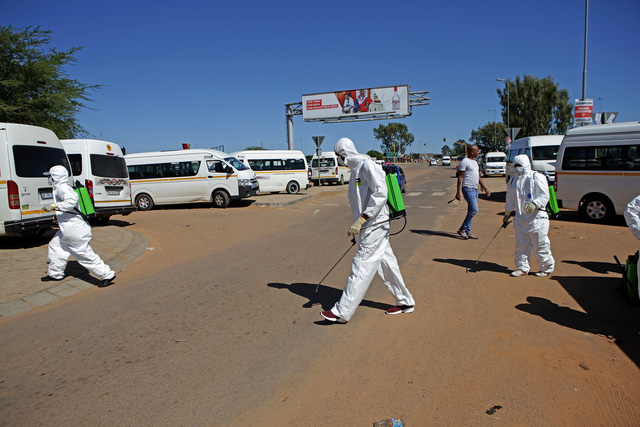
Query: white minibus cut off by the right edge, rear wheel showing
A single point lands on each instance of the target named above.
(598, 169)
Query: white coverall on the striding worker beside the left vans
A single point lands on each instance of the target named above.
(74, 234)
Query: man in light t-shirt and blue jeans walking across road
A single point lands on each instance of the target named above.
(468, 180)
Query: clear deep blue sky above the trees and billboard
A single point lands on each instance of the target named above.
(220, 73)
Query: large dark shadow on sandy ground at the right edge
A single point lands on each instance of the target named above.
(605, 312)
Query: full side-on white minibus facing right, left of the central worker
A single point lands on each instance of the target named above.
(188, 176)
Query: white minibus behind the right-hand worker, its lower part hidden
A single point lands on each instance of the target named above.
(542, 151)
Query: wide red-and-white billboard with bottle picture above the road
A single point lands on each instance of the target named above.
(358, 104)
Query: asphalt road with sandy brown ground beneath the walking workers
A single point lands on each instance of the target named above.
(219, 325)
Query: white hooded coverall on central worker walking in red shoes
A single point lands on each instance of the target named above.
(368, 195)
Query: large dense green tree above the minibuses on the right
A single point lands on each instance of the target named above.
(536, 106)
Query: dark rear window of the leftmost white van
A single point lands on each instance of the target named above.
(32, 161)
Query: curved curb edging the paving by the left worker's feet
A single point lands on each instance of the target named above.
(71, 287)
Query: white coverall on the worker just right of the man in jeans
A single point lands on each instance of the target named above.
(531, 228)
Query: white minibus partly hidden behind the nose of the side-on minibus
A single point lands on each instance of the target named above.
(277, 170)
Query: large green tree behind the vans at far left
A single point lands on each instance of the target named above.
(34, 89)
